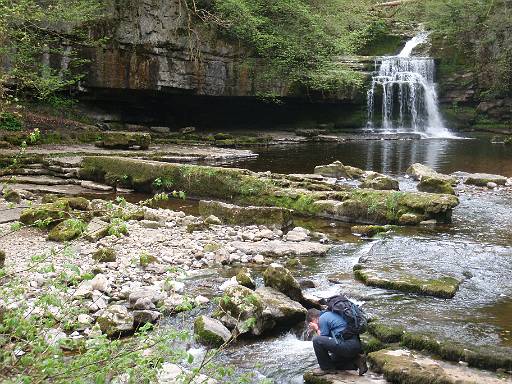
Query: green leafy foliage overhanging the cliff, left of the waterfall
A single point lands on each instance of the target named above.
(297, 40)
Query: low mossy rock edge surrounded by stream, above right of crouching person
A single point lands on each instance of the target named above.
(443, 287)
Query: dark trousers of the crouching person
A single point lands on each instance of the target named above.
(332, 355)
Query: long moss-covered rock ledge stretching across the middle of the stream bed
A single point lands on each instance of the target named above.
(355, 205)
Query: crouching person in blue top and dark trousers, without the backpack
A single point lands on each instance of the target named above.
(334, 352)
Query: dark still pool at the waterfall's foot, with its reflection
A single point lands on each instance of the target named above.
(388, 156)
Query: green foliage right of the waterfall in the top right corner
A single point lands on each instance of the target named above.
(473, 33)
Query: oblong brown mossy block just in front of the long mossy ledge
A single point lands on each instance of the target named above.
(236, 215)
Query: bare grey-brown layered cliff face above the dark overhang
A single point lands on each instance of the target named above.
(155, 45)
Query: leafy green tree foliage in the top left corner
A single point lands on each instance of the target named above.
(31, 31)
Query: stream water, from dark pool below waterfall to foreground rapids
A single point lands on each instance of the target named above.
(477, 247)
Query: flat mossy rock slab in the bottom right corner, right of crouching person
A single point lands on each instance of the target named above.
(404, 366)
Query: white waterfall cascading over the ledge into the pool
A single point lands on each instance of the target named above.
(409, 97)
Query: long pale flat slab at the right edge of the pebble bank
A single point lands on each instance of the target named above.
(277, 248)
